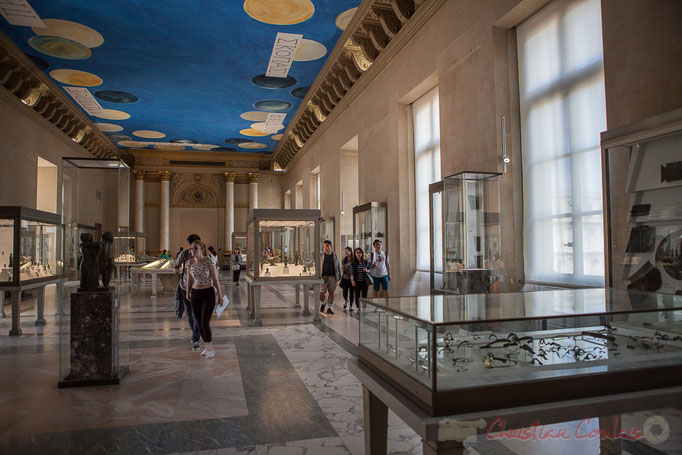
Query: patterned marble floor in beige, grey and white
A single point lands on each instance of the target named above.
(278, 389)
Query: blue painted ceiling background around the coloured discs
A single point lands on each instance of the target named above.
(186, 68)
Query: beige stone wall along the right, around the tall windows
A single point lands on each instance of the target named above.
(468, 49)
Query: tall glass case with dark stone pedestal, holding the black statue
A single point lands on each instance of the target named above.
(93, 335)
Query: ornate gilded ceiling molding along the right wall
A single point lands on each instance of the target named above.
(379, 29)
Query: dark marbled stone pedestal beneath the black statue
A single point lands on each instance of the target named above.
(93, 340)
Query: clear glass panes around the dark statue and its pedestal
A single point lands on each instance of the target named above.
(95, 192)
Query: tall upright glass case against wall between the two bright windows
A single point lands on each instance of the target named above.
(466, 234)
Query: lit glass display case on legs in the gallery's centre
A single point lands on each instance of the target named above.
(283, 244)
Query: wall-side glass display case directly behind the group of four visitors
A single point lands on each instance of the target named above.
(370, 222)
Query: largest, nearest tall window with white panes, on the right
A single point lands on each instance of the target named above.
(561, 87)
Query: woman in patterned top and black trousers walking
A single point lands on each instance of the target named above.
(202, 285)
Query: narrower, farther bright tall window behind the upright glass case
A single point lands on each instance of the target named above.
(426, 167)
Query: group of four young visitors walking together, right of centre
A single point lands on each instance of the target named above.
(354, 275)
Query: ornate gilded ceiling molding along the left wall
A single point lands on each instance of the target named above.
(20, 76)
